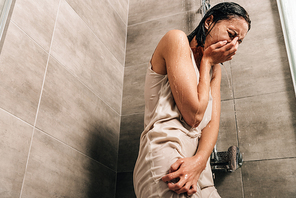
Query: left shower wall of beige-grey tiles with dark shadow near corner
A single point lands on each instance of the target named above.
(61, 81)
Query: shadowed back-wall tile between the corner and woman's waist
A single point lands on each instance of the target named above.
(130, 131)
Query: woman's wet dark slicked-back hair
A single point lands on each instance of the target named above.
(221, 11)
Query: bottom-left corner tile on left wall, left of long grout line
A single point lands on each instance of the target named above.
(14, 147)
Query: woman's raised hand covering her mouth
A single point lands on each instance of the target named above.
(221, 51)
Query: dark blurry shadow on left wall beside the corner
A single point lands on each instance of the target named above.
(102, 175)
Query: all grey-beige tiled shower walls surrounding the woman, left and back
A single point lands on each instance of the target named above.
(71, 104)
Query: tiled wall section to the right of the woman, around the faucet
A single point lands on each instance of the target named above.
(259, 110)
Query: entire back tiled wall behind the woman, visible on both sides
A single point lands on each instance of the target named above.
(258, 104)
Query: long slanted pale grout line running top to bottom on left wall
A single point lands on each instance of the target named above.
(39, 102)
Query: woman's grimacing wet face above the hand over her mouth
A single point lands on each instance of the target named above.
(226, 30)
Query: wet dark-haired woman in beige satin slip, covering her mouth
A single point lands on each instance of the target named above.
(182, 105)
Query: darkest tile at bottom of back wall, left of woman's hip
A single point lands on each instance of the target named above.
(124, 185)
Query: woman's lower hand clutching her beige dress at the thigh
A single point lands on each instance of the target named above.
(185, 172)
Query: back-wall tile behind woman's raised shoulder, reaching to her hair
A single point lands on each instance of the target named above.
(143, 38)
